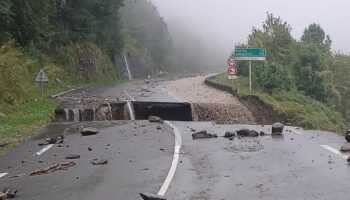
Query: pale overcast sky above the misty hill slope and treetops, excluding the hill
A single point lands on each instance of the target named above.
(225, 22)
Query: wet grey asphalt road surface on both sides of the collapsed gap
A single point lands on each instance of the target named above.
(139, 156)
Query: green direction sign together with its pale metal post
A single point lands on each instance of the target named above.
(250, 54)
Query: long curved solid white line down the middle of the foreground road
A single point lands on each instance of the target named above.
(171, 173)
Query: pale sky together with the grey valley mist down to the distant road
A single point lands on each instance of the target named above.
(205, 32)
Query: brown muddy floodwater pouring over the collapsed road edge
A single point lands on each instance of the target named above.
(209, 104)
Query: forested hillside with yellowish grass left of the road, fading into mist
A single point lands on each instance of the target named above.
(77, 41)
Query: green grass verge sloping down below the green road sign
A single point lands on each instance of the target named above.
(293, 107)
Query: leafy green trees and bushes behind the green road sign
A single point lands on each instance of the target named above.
(300, 67)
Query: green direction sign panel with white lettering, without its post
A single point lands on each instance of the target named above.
(250, 53)
